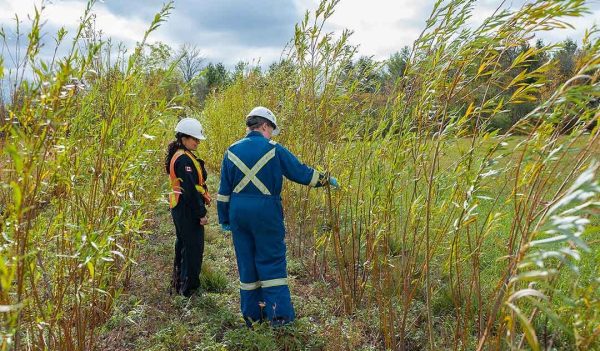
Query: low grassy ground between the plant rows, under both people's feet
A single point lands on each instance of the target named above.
(147, 317)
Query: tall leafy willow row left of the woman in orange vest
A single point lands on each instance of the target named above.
(81, 158)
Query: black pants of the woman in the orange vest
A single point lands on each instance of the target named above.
(189, 251)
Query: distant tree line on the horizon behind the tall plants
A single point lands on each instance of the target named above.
(377, 79)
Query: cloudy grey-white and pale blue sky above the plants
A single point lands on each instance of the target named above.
(232, 30)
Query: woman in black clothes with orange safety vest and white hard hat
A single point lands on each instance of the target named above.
(188, 200)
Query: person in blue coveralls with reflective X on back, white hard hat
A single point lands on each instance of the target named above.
(249, 205)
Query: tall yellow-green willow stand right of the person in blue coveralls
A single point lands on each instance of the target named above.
(437, 213)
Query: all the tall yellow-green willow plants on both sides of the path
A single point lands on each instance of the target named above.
(445, 233)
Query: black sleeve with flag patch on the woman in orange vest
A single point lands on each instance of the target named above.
(188, 176)
